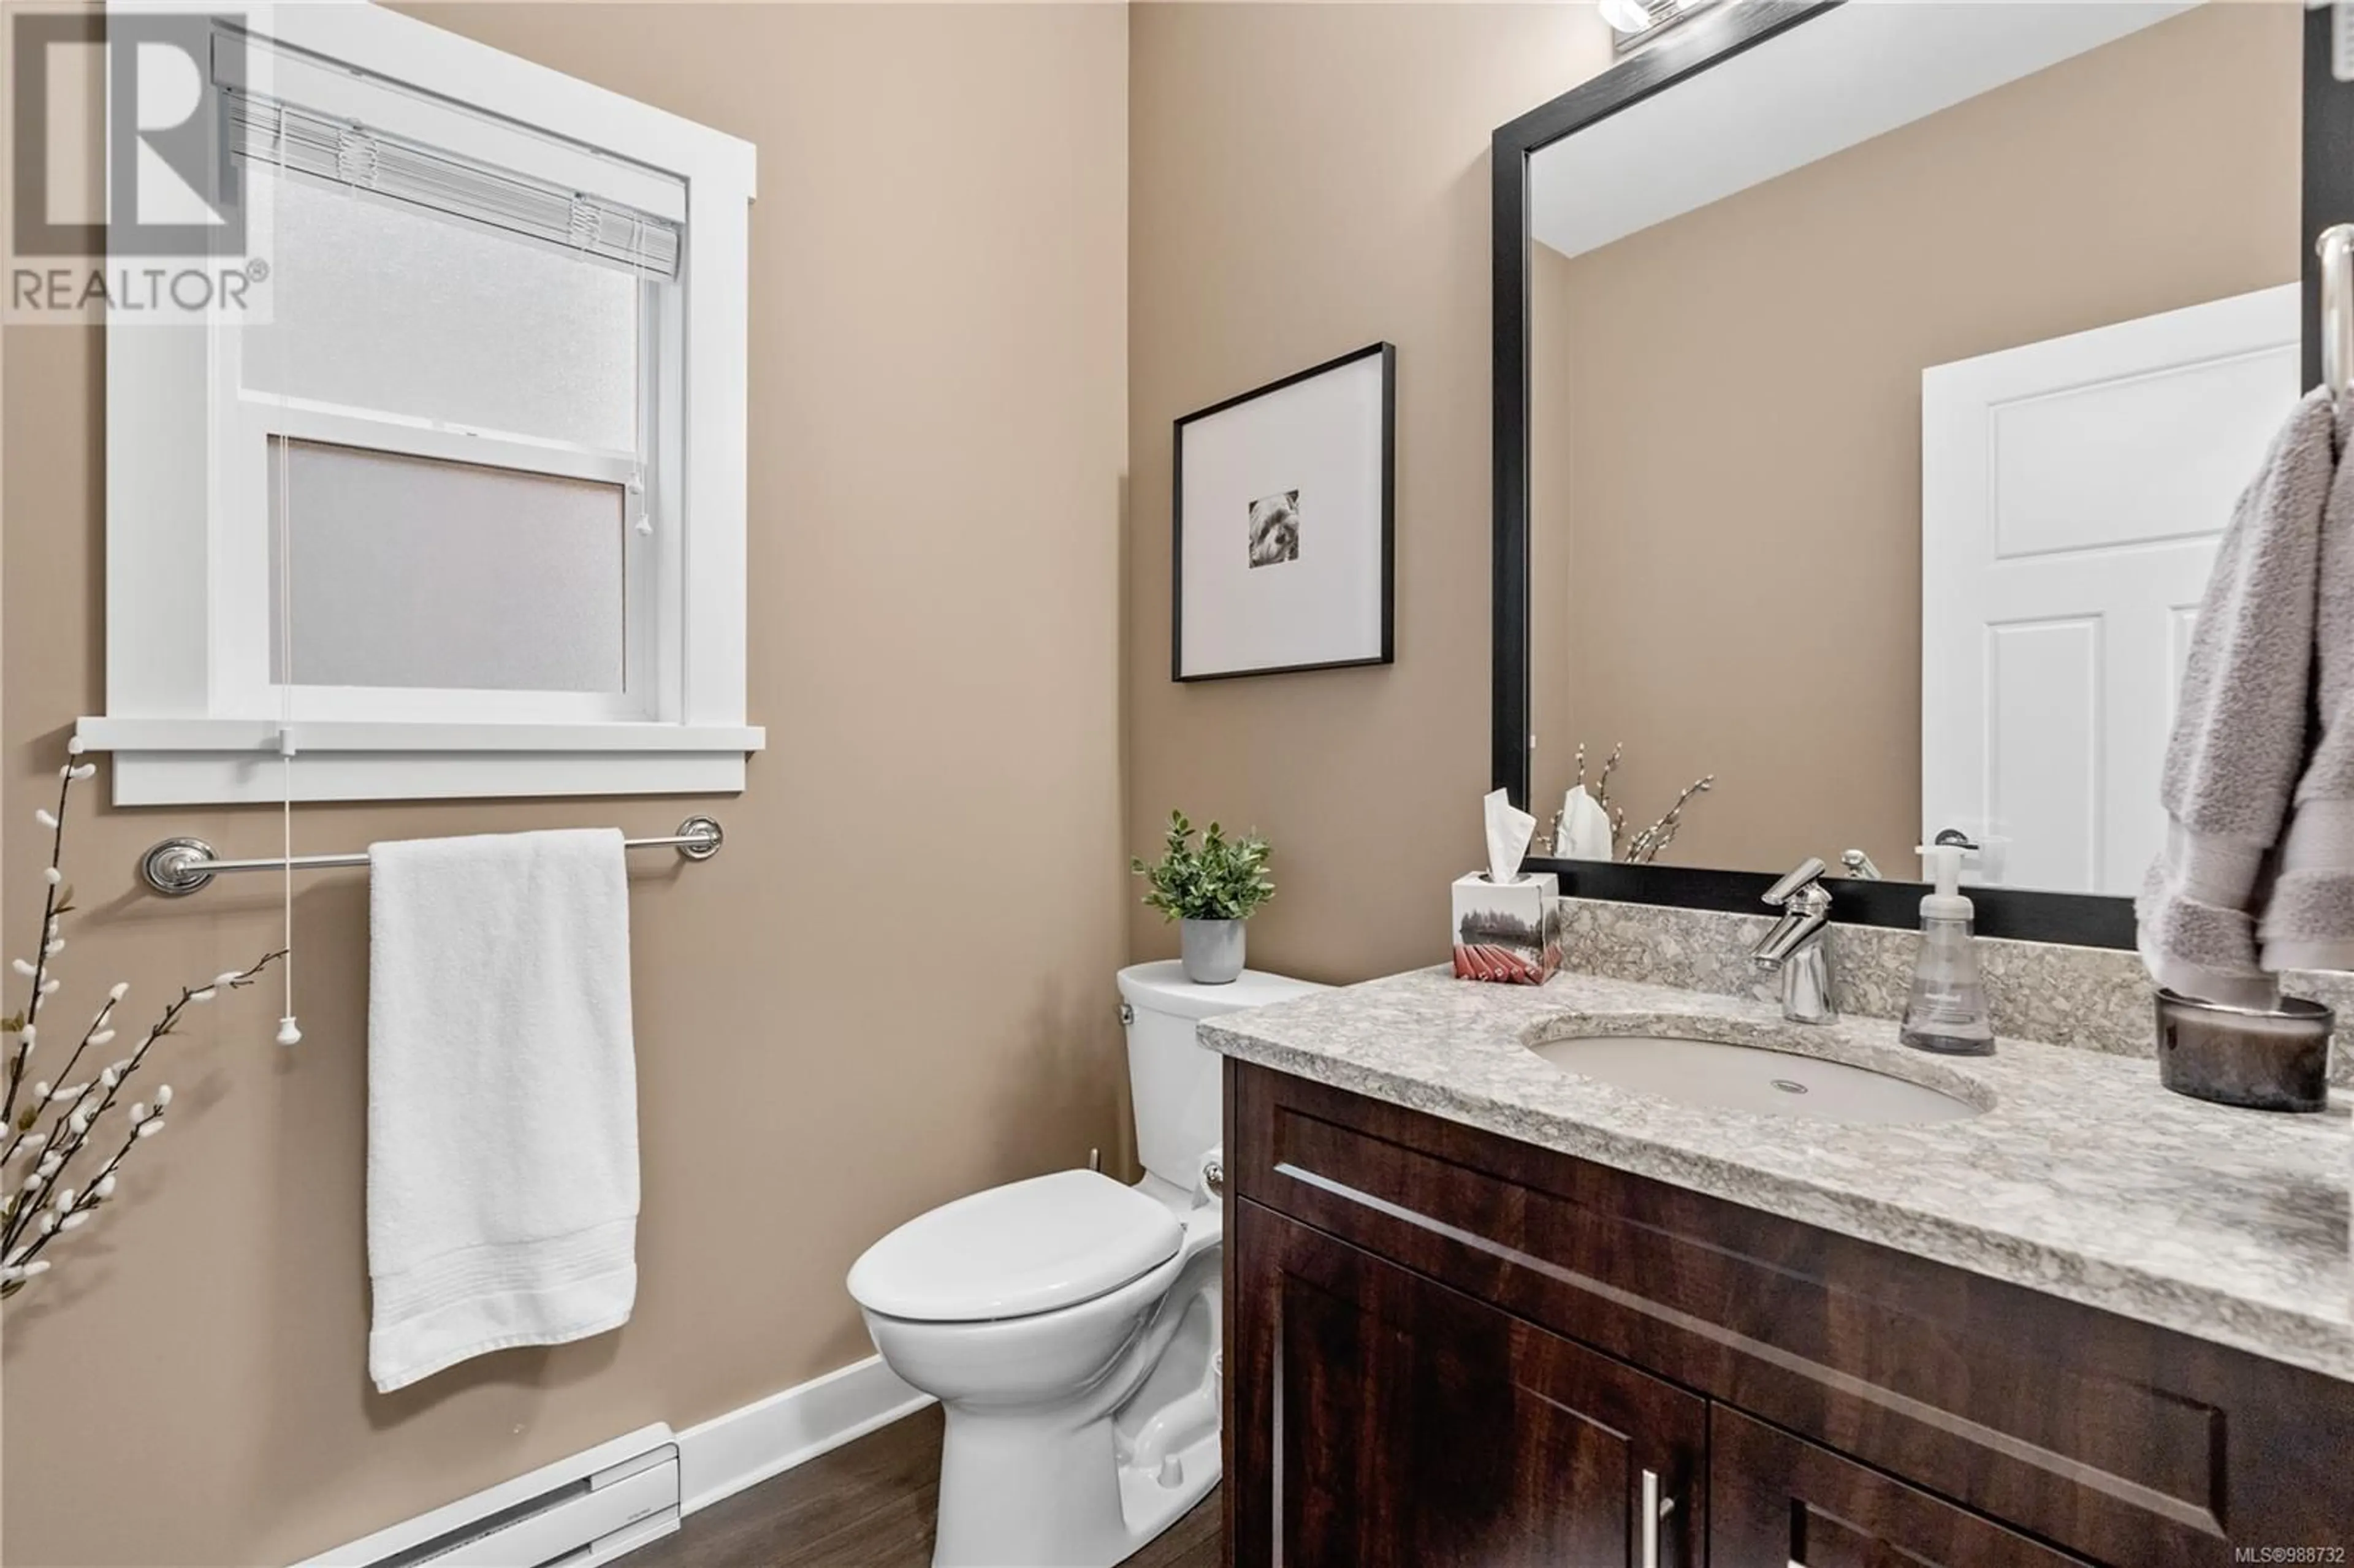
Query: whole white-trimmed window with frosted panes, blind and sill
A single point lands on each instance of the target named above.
(472, 507)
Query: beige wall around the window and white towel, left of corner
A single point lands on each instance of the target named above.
(938, 411)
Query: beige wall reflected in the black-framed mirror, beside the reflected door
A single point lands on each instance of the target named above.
(1729, 408)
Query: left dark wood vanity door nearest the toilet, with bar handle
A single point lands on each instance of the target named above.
(1390, 1423)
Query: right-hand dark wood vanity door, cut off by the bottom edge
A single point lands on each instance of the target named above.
(1786, 1503)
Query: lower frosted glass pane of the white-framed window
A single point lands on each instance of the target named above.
(413, 571)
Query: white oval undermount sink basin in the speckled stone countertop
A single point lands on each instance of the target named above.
(1720, 1077)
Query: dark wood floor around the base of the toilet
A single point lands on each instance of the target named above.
(870, 1506)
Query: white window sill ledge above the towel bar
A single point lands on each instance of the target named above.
(204, 762)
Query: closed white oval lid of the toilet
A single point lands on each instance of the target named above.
(1011, 1251)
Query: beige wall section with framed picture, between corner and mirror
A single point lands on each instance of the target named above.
(1308, 180)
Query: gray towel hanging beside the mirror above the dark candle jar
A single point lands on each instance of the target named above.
(2240, 745)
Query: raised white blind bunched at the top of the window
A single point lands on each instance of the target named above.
(324, 147)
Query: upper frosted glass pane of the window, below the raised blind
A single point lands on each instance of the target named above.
(394, 310)
